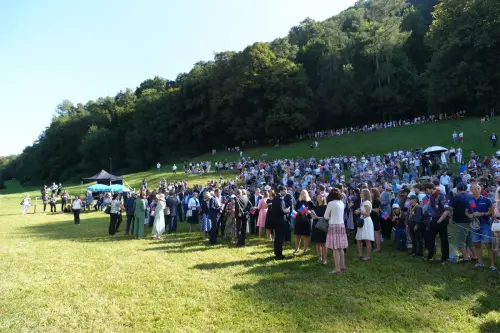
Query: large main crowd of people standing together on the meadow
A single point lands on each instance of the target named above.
(386, 196)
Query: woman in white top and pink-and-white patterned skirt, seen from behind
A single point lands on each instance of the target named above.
(336, 238)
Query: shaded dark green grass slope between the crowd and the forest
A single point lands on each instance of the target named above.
(476, 137)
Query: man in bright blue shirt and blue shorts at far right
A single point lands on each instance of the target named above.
(481, 209)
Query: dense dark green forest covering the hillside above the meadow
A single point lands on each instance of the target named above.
(376, 61)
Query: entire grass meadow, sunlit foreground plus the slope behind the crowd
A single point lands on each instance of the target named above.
(58, 277)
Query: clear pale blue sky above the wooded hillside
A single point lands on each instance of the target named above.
(80, 50)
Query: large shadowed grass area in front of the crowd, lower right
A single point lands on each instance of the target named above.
(368, 294)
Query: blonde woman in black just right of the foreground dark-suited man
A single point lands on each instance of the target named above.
(302, 230)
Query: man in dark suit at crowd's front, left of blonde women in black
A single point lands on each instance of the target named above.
(279, 215)
